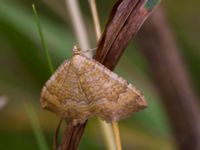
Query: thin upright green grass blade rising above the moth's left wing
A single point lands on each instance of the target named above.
(42, 39)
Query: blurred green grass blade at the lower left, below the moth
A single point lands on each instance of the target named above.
(36, 127)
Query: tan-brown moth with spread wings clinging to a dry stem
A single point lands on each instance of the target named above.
(82, 88)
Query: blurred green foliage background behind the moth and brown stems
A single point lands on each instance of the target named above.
(24, 69)
